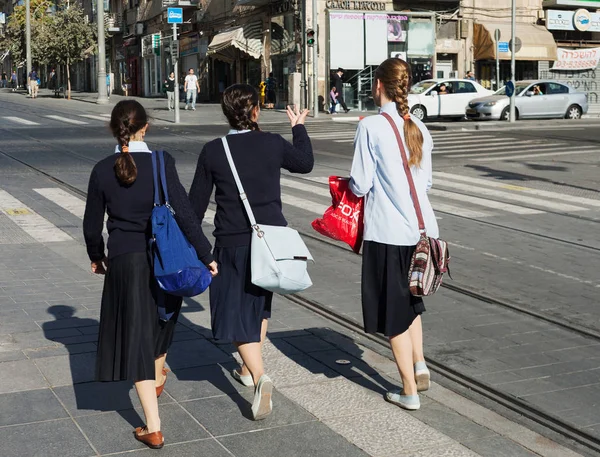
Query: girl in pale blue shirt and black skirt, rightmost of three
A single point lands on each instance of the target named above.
(391, 228)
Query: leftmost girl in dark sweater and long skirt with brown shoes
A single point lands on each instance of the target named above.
(134, 333)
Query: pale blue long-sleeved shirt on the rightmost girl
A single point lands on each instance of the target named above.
(378, 173)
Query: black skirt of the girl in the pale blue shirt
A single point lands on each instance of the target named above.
(388, 306)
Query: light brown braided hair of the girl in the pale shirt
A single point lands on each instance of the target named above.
(395, 76)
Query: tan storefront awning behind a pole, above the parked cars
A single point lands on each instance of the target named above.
(536, 42)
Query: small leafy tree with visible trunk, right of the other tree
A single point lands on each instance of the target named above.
(67, 38)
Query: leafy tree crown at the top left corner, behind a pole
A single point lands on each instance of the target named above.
(14, 38)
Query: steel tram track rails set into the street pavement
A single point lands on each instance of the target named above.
(548, 420)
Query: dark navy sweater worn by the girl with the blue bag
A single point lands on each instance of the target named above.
(129, 209)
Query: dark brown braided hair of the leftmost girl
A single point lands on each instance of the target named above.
(127, 118)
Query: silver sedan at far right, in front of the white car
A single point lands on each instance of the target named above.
(533, 99)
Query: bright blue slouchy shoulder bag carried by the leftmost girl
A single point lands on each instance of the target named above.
(177, 268)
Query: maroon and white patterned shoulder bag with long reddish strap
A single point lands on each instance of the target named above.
(430, 259)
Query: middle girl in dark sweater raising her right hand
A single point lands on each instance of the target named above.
(239, 309)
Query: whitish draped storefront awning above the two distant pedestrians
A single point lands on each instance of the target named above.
(247, 39)
